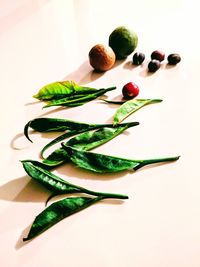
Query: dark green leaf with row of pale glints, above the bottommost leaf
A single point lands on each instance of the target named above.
(57, 185)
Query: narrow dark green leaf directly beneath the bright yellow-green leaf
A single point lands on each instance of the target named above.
(78, 101)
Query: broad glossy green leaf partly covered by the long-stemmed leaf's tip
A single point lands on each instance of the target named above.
(86, 141)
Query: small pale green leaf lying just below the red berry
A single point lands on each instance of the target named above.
(130, 106)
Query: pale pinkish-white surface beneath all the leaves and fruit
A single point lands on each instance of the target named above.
(45, 41)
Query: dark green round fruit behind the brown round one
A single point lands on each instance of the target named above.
(123, 42)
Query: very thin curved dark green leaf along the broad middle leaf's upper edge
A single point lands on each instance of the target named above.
(81, 130)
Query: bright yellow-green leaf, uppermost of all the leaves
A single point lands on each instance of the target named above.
(58, 90)
